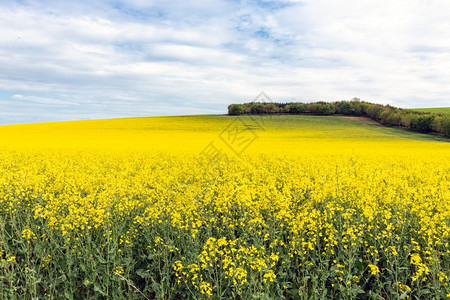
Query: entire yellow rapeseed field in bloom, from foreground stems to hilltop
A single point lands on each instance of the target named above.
(279, 207)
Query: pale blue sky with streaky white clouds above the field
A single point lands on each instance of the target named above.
(74, 60)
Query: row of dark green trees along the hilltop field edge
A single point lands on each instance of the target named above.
(385, 114)
